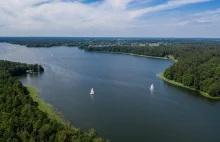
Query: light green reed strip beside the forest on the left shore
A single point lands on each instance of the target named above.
(45, 107)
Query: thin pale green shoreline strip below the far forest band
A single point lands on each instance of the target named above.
(164, 58)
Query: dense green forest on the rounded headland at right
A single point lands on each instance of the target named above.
(197, 70)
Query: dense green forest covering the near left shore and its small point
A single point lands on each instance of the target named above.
(20, 118)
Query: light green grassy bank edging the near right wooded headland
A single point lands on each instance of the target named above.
(204, 94)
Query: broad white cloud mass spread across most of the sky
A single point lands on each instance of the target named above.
(103, 18)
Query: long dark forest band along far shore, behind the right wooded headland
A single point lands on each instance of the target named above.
(176, 49)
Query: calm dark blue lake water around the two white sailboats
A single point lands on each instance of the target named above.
(123, 108)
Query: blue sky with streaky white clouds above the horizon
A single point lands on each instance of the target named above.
(110, 18)
